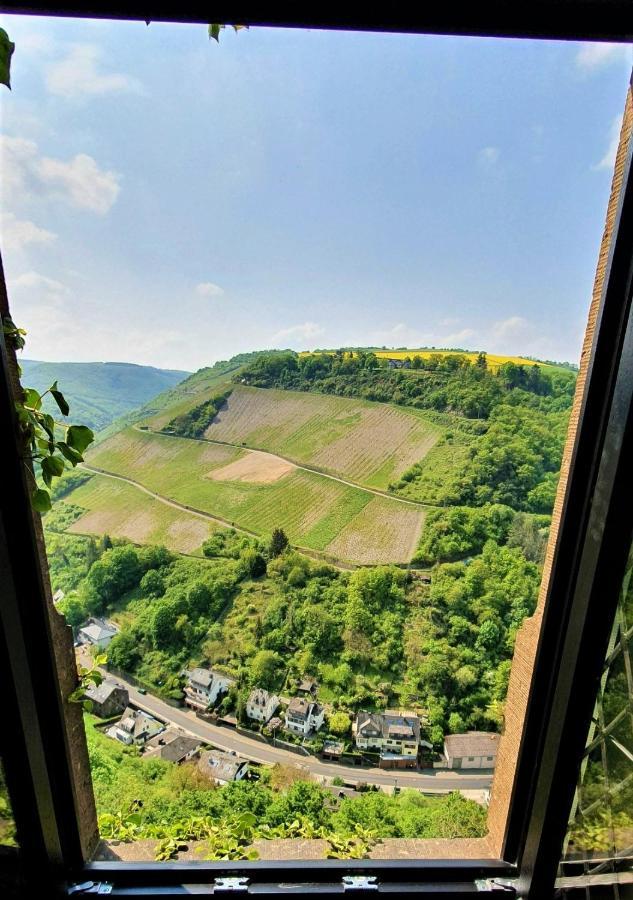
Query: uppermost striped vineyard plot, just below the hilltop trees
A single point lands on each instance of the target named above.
(368, 443)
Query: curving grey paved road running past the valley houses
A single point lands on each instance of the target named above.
(227, 739)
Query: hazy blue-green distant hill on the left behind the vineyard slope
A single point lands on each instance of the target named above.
(98, 393)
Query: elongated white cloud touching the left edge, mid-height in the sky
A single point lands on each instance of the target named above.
(79, 181)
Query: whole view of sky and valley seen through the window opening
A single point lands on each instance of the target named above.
(301, 570)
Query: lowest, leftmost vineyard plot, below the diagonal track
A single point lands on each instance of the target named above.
(122, 510)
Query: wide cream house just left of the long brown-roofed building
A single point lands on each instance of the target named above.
(395, 735)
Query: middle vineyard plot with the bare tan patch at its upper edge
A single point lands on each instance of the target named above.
(249, 490)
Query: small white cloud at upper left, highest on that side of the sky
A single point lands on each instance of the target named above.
(80, 74)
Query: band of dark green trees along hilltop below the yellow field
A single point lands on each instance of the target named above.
(446, 383)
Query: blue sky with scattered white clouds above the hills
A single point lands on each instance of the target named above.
(169, 201)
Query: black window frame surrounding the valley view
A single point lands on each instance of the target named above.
(590, 555)
